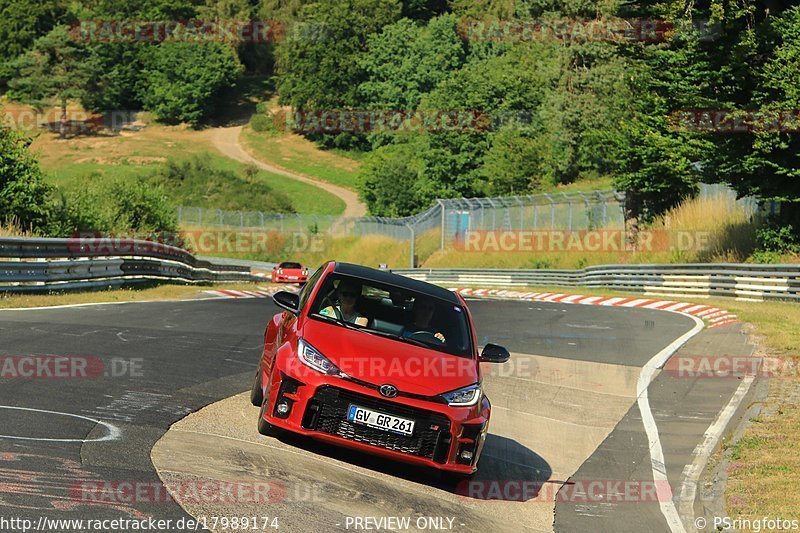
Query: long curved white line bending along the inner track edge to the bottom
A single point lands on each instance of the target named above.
(657, 463)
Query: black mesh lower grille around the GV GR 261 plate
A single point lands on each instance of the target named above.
(327, 413)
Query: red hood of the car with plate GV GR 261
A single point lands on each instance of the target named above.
(378, 360)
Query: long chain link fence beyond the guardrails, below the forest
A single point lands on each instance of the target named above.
(449, 220)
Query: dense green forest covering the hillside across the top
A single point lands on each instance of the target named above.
(562, 109)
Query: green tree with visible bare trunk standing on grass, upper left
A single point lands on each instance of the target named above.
(56, 68)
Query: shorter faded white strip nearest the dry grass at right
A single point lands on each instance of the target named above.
(703, 451)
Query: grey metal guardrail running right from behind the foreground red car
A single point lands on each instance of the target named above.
(746, 281)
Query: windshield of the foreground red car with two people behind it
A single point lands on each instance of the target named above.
(395, 313)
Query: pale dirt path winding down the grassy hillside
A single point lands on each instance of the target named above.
(226, 140)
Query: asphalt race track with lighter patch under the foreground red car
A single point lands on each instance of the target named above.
(566, 409)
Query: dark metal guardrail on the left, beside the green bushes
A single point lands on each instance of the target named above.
(28, 265)
